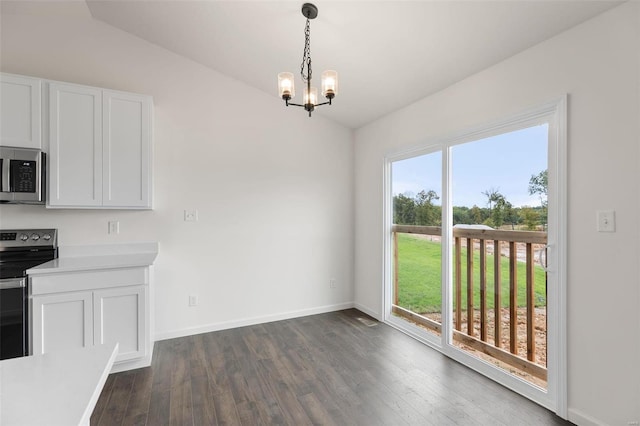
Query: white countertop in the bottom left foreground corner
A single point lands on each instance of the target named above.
(54, 389)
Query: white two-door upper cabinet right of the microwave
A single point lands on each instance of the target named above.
(100, 148)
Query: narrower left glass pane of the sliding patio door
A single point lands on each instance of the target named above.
(416, 185)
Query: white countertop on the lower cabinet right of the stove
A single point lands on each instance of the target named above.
(92, 257)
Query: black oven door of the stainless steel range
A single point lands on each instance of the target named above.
(13, 318)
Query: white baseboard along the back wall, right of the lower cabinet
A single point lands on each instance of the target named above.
(225, 325)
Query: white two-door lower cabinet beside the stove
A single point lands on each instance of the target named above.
(112, 307)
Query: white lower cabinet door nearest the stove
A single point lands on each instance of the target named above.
(62, 321)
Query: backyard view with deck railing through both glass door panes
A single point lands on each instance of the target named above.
(498, 248)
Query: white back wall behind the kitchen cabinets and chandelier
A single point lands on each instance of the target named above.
(274, 188)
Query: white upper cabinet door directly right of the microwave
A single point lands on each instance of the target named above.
(75, 144)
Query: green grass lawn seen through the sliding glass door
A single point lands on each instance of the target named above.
(420, 277)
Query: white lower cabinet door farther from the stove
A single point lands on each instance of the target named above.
(120, 317)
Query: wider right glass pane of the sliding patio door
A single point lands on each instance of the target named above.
(499, 284)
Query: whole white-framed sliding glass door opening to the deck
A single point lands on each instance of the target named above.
(474, 236)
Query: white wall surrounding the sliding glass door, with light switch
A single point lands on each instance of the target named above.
(598, 65)
